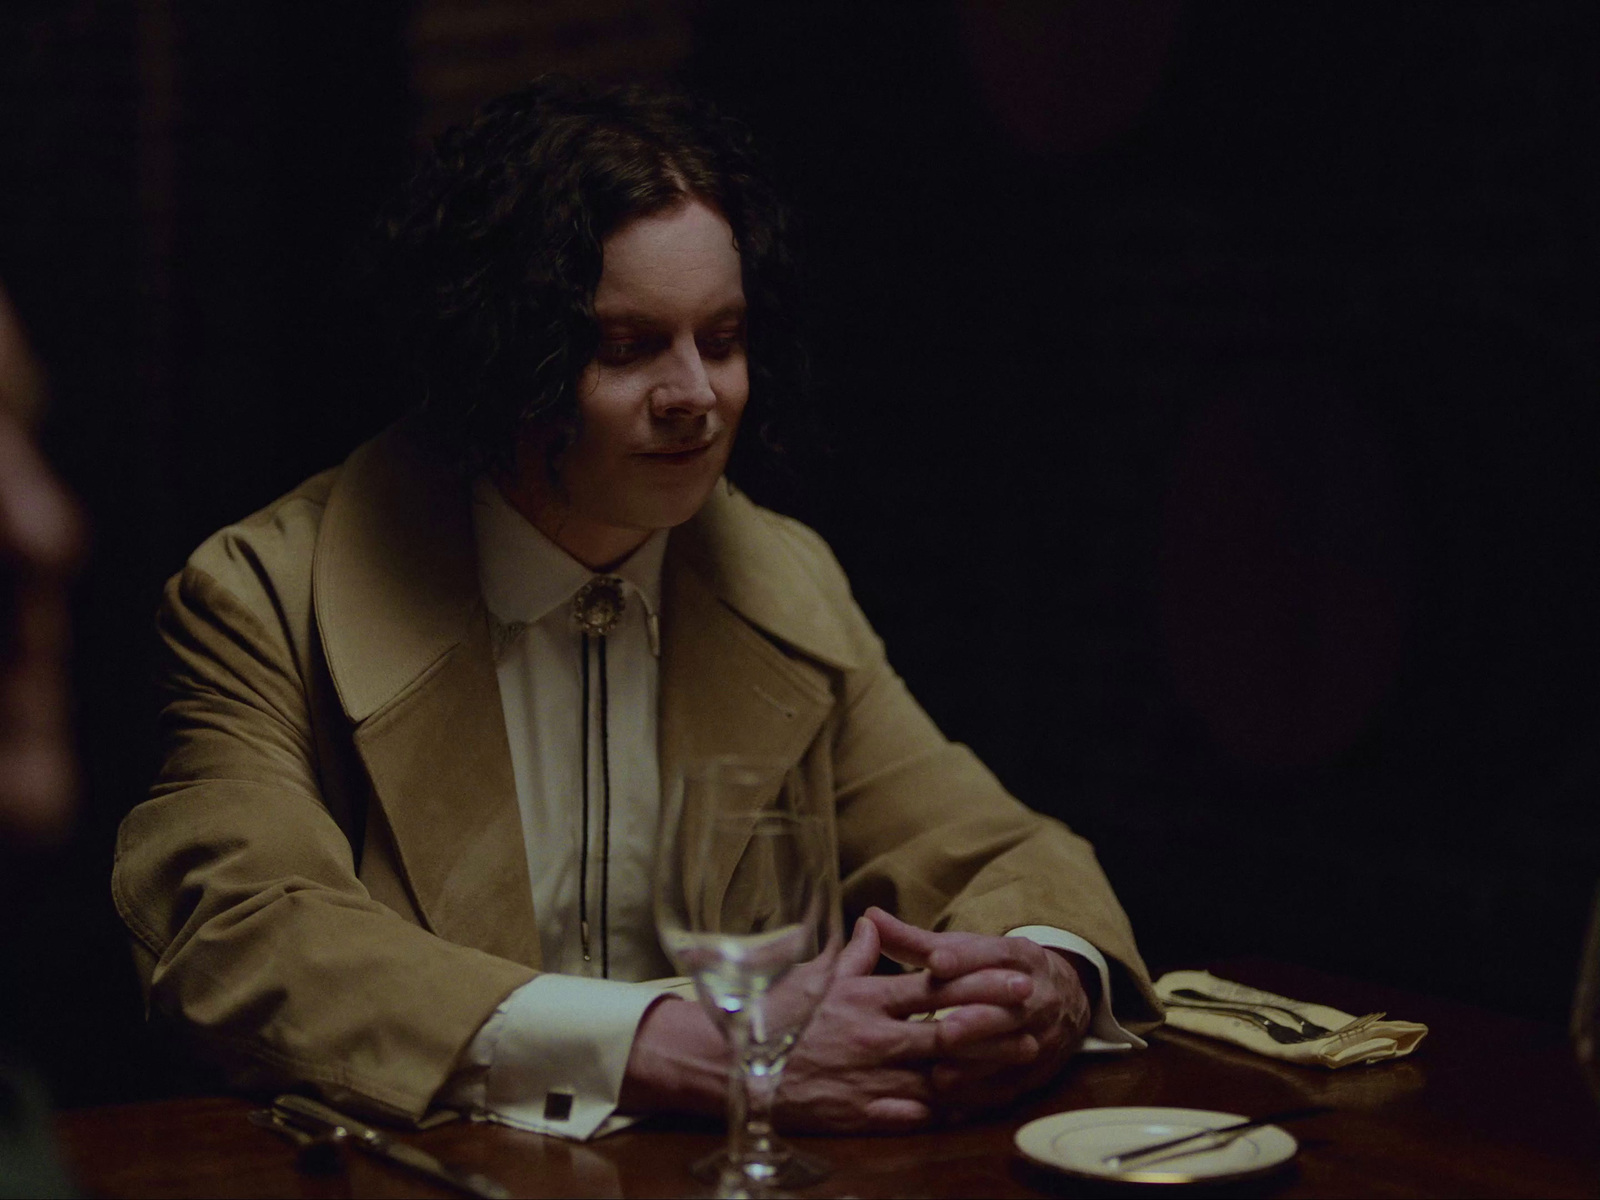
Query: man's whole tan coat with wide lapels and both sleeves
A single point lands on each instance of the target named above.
(329, 881)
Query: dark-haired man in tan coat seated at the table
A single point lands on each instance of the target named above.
(423, 708)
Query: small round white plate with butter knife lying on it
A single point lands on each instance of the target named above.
(1079, 1142)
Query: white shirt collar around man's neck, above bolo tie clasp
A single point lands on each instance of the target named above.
(526, 577)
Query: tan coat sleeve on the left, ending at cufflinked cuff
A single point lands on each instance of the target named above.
(250, 926)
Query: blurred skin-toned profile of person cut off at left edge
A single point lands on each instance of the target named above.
(39, 548)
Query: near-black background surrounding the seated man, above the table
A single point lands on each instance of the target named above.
(1210, 386)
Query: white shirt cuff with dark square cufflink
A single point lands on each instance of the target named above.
(553, 1057)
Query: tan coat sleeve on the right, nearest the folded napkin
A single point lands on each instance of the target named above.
(930, 834)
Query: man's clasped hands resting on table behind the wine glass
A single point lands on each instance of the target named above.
(1014, 1014)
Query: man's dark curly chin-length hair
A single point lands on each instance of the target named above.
(494, 250)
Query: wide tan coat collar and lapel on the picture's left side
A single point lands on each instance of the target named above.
(398, 602)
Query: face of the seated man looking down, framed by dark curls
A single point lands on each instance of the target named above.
(662, 401)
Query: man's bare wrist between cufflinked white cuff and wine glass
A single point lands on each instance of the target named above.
(679, 1062)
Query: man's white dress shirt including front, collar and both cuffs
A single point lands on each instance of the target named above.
(554, 1054)
